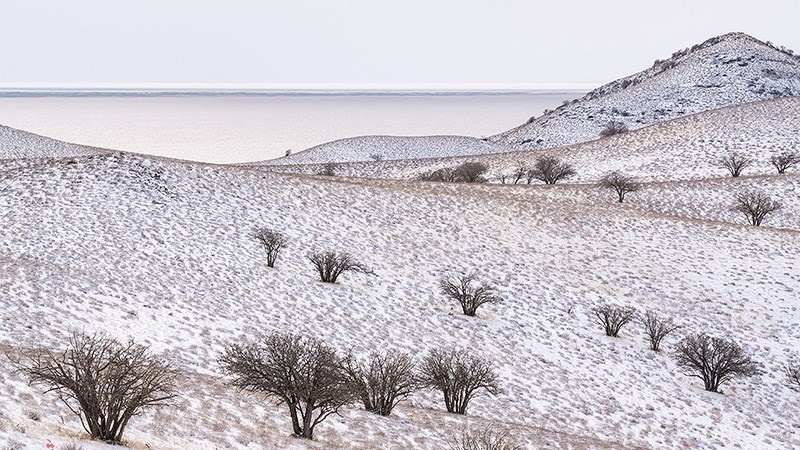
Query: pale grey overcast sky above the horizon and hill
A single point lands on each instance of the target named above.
(362, 43)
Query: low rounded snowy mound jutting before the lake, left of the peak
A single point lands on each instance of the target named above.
(366, 148)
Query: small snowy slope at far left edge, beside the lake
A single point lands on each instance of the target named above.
(22, 144)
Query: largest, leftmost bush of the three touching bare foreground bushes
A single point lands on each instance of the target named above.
(304, 373)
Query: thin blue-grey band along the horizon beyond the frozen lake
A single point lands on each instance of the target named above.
(23, 93)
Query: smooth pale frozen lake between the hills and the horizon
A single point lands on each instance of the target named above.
(228, 128)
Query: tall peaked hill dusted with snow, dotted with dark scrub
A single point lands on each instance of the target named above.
(726, 70)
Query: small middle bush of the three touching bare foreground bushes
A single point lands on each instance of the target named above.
(383, 381)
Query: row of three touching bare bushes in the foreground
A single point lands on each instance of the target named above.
(314, 380)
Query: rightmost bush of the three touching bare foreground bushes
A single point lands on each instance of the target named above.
(459, 376)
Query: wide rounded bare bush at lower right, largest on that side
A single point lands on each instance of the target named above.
(714, 360)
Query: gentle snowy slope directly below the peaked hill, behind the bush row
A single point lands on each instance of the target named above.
(686, 148)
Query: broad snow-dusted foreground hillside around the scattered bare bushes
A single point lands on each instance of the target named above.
(161, 251)
